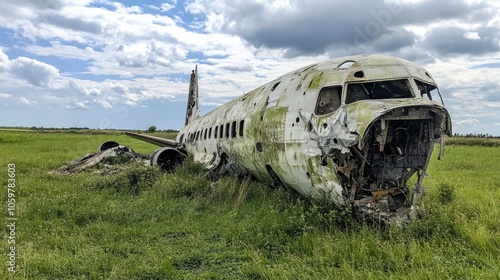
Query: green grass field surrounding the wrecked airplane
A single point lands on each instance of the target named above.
(143, 224)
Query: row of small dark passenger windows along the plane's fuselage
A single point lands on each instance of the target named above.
(228, 130)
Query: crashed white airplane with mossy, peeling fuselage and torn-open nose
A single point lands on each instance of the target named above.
(352, 131)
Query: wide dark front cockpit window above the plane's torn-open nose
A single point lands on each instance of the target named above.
(378, 90)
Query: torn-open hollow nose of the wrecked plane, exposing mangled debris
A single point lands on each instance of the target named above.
(377, 174)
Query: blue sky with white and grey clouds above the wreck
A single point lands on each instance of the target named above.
(126, 64)
